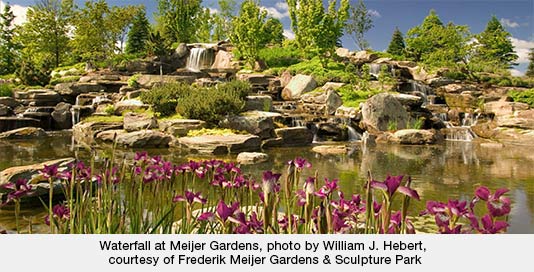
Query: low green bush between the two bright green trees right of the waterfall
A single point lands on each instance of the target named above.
(280, 56)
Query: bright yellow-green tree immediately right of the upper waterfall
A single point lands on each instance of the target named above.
(248, 28)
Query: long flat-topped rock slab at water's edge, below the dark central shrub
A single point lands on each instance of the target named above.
(220, 145)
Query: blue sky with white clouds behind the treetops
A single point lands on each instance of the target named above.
(516, 15)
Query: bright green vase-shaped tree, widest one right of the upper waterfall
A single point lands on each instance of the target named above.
(317, 31)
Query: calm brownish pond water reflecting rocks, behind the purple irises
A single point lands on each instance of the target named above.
(440, 172)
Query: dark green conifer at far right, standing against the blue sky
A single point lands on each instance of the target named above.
(494, 44)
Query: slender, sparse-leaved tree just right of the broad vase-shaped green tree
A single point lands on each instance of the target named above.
(358, 23)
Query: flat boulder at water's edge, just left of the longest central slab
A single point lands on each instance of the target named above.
(143, 139)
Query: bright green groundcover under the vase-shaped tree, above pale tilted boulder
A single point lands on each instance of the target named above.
(332, 71)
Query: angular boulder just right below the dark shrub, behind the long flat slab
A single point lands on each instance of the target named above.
(259, 123)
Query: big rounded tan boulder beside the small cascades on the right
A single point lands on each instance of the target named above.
(383, 110)
